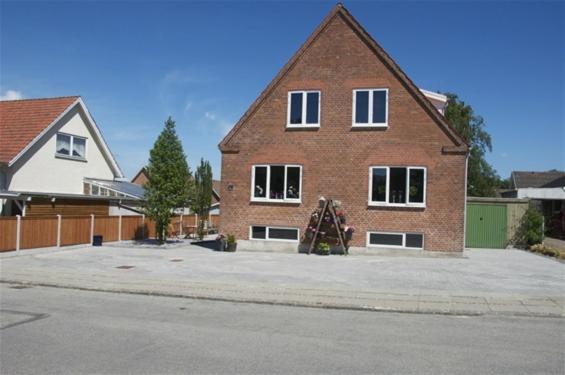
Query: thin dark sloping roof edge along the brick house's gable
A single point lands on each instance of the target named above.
(340, 11)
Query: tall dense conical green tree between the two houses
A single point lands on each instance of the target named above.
(168, 187)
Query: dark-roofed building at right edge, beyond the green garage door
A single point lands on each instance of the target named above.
(546, 191)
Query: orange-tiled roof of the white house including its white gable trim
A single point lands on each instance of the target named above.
(24, 122)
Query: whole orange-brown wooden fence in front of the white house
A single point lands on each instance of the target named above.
(49, 231)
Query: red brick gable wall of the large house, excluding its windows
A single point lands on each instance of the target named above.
(336, 158)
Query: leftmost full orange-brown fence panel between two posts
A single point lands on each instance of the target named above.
(38, 232)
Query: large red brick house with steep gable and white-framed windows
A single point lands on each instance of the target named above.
(342, 120)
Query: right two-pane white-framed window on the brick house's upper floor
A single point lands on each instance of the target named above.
(370, 107)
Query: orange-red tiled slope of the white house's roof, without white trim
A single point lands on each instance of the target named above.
(23, 120)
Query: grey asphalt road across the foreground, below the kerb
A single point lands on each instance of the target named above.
(49, 330)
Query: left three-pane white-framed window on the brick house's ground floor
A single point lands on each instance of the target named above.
(277, 183)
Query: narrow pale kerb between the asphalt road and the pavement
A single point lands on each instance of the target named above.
(258, 301)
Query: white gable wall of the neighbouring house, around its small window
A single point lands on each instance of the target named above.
(39, 170)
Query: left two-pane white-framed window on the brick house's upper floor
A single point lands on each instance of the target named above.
(303, 109)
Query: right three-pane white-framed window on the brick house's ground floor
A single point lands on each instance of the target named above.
(397, 186)
